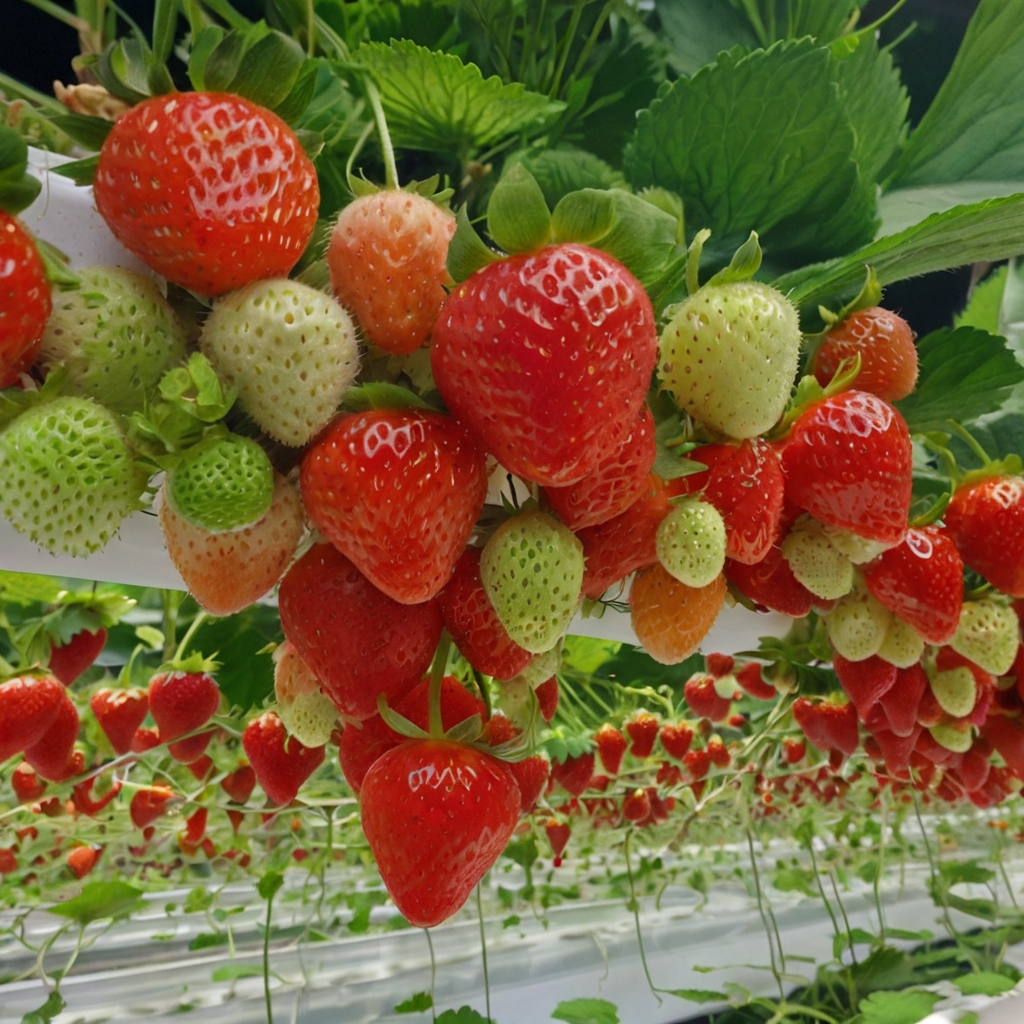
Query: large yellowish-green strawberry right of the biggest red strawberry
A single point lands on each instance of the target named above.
(730, 355)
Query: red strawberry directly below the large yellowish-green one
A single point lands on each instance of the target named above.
(746, 485)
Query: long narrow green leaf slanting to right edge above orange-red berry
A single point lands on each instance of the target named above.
(984, 232)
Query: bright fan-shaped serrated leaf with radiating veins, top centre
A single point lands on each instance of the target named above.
(435, 102)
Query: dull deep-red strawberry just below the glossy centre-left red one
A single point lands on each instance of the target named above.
(359, 643)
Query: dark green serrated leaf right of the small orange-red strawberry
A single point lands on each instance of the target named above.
(963, 374)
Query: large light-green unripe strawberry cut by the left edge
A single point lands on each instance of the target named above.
(69, 475)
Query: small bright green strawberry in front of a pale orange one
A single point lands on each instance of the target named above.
(223, 484)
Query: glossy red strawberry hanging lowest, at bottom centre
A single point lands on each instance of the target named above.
(438, 816)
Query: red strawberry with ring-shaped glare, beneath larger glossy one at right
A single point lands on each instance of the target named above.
(922, 582)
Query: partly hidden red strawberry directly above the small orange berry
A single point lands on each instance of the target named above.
(621, 546)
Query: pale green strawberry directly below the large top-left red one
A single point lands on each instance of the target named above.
(116, 335)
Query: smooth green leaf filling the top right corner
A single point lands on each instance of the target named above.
(974, 130)
